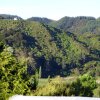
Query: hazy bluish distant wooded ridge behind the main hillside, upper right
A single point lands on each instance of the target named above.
(77, 25)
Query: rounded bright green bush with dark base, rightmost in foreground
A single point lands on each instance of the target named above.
(87, 85)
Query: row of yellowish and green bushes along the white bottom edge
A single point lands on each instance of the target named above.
(83, 86)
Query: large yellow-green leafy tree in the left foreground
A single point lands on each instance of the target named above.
(14, 78)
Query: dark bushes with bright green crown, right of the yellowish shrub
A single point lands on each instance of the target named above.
(83, 86)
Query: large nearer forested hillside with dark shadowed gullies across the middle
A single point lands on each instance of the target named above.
(54, 51)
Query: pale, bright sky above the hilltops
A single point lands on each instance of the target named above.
(52, 9)
